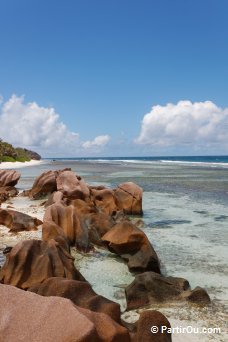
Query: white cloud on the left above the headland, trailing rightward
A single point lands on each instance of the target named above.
(32, 126)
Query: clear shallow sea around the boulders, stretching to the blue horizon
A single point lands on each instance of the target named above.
(185, 205)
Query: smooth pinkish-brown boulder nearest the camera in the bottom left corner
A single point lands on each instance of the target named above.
(29, 317)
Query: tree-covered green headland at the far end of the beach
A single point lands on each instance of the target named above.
(8, 153)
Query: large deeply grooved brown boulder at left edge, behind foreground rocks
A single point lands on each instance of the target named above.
(33, 261)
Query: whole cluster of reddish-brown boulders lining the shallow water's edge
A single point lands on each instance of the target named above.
(82, 216)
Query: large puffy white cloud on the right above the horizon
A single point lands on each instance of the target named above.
(185, 124)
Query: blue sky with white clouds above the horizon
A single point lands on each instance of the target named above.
(82, 78)
